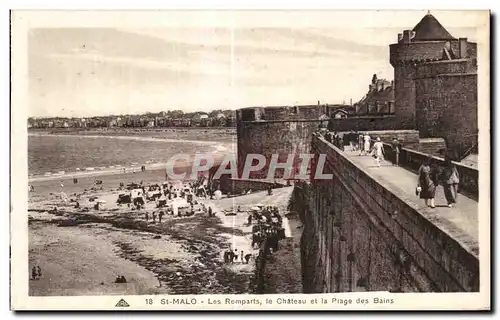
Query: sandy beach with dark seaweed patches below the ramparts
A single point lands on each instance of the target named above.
(82, 252)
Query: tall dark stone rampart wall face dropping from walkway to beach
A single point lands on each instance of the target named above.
(360, 235)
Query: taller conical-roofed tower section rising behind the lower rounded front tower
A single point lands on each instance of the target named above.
(424, 43)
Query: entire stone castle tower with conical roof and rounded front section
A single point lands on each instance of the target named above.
(435, 82)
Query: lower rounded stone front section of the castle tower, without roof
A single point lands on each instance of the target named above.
(446, 100)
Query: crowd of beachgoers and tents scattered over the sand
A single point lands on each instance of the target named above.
(266, 221)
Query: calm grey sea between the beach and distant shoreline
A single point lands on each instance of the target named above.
(71, 153)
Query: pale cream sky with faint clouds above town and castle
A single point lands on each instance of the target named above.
(81, 71)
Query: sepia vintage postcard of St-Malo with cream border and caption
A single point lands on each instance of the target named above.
(250, 160)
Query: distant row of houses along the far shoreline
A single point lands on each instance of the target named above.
(162, 119)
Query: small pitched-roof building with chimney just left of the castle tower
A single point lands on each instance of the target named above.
(378, 100)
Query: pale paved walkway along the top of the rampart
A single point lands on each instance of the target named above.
(463, 217)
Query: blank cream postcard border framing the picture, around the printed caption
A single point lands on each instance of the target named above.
(22, 21)
